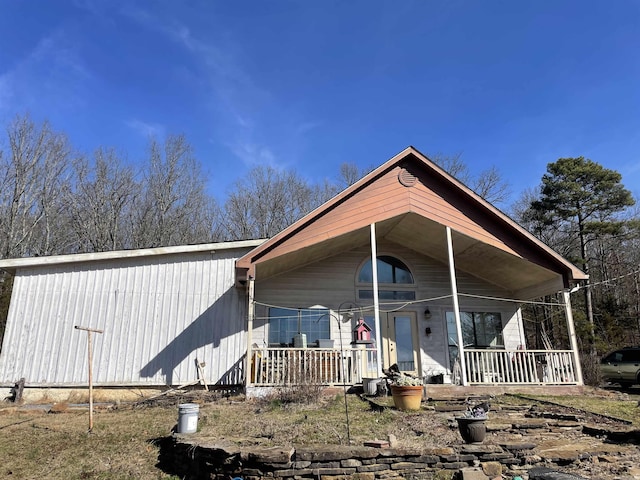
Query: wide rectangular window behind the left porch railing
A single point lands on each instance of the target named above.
(285, 323)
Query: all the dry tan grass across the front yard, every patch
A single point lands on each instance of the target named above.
(35, 444)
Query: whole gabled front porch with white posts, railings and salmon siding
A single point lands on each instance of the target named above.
(449, 252)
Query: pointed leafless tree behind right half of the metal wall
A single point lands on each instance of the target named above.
(173, 207)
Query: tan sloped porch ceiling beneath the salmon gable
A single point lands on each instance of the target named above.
(523, 278)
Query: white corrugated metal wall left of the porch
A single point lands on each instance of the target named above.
(158, 314)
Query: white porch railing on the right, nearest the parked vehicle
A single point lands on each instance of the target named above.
(554, 367)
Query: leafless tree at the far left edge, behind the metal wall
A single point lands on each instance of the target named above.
(33, 174)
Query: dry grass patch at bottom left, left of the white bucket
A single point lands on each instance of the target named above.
(37, 445)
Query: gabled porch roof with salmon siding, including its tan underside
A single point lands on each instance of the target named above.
(411, 200)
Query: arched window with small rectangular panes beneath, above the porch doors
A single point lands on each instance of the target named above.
(391, 272)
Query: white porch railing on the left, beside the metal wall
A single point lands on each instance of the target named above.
(324, 366)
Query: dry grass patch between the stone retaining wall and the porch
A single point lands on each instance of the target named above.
(271, 423)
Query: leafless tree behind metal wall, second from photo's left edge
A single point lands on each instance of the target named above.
(104, 192)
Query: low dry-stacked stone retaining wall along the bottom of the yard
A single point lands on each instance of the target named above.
(191, 459)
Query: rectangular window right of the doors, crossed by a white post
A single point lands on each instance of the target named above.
(479, 330)
